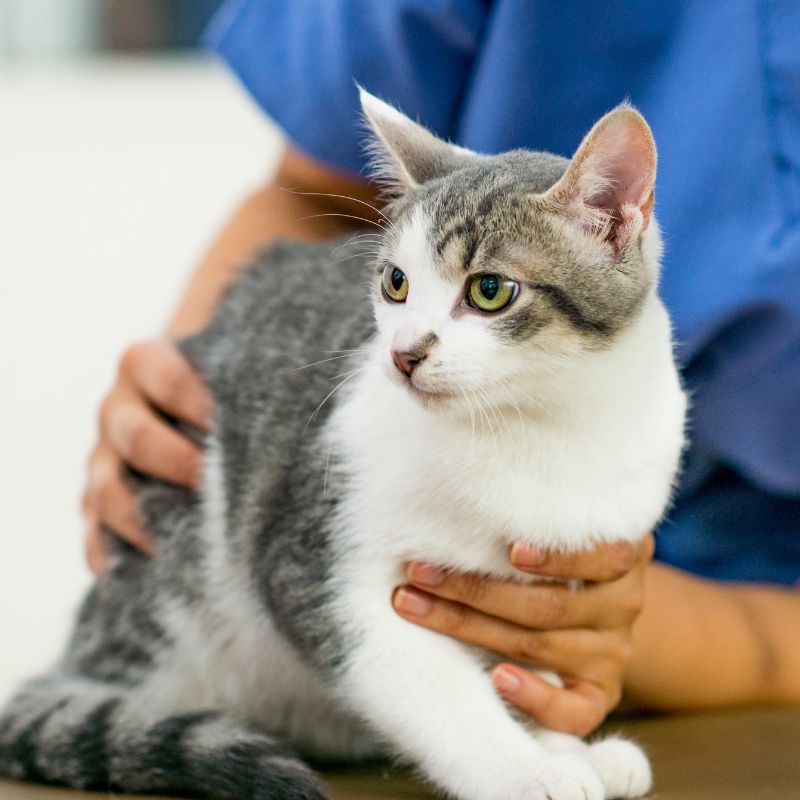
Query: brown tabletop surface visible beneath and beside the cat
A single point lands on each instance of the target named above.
(743, 755)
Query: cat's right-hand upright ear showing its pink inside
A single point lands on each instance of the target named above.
(607, 190)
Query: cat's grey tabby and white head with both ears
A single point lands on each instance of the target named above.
(497, 272)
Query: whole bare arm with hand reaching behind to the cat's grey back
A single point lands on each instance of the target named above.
(153, 378)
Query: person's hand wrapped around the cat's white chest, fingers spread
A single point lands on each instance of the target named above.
(582, 634)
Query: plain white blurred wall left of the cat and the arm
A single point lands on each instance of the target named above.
(114, 175)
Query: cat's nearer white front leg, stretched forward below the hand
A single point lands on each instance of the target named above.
(434, 703)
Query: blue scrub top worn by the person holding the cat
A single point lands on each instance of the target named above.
(719, 84)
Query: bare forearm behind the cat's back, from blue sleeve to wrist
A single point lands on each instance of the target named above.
(286, 207)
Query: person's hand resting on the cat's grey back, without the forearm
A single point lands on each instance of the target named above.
(154, 379)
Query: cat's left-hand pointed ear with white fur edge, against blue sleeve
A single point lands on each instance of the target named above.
(403, 153)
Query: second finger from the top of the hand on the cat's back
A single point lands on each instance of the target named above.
(152, 447)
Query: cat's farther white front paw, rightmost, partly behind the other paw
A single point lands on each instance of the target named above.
(622, 765)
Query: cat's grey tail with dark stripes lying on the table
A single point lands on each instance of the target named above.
(93, 736)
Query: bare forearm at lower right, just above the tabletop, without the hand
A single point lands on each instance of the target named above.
(701, 644)
